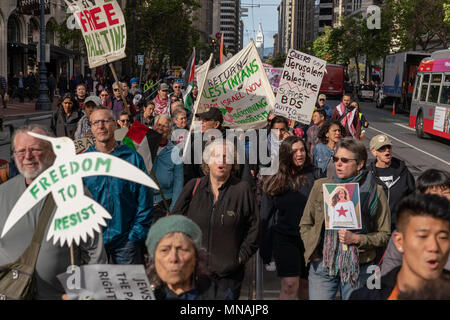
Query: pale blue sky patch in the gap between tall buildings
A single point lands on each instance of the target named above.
(266, 14)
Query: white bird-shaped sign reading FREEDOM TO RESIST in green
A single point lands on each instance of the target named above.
(77, 215)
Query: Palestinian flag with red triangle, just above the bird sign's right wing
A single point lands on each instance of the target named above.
(145, 141)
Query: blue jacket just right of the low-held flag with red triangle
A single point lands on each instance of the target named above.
(169, 174)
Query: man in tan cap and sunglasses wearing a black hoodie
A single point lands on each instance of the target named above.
(391, 173)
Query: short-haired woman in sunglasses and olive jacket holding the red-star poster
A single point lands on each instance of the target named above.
(333, 265)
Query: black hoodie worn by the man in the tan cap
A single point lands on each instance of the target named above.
(402, 186)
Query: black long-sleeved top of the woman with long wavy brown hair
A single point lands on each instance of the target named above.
(282, 213)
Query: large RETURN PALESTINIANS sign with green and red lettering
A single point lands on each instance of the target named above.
(240, 89)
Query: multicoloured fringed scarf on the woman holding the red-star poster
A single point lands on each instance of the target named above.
(346, 263)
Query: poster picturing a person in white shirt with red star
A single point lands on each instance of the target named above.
(342, 206)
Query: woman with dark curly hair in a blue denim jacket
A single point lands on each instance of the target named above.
(329, 135)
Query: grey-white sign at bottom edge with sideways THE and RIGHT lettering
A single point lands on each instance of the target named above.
(106, 282)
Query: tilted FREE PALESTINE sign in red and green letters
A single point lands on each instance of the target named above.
(103, 26)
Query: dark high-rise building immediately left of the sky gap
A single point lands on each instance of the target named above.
(226, 19)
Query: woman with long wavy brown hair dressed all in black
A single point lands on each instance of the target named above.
(284, 197)
